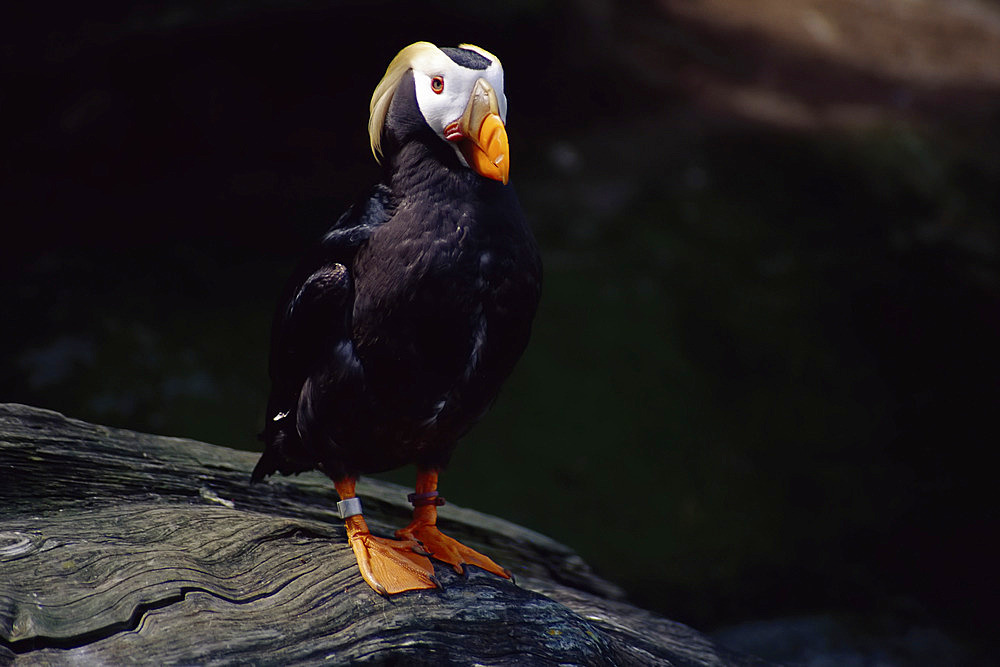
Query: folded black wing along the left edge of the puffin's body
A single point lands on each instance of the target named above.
(311, 336)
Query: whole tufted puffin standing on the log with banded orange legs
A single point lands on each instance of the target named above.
(393, 336)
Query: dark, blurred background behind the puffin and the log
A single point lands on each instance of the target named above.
(763, 379)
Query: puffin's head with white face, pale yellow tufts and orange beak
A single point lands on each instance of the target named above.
(459, 95)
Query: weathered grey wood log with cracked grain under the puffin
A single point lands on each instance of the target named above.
(118, 547)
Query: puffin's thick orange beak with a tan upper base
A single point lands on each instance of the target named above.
(482, 134)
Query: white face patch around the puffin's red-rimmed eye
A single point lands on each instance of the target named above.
(431, 68)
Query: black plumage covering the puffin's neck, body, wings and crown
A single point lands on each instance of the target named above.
(395, 334)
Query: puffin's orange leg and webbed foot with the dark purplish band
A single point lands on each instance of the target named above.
(424, 529)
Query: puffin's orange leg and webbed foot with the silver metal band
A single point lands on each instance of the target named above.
(389, 566)
